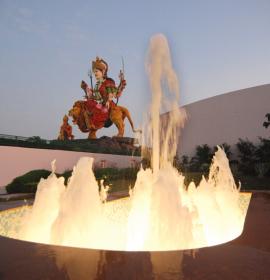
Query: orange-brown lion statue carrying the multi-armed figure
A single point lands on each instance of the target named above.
(117, 116)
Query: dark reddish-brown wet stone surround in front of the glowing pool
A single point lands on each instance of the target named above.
(246, 257)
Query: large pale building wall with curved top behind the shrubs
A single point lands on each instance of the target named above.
(226, 118)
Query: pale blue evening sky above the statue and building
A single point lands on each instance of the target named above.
(47, 47)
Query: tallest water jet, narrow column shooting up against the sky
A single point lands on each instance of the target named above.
(163, 134)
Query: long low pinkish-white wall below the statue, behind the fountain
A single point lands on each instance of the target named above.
(16, 161)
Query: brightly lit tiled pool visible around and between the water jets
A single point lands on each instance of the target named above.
(117, 213)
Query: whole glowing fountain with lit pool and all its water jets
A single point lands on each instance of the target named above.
(161, 213)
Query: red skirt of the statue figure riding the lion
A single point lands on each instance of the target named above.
(99, 113)
